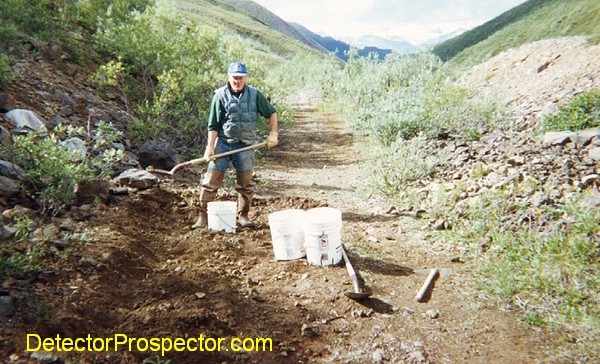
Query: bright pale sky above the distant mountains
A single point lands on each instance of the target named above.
(415, 21)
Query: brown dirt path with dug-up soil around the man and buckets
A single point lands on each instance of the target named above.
(146, 274)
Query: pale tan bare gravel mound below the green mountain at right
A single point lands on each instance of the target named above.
(534, 79)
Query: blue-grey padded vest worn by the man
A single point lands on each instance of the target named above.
(241, 115)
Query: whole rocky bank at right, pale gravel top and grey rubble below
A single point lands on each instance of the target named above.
(533, 80)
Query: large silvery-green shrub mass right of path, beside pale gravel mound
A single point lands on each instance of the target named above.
(408, 96)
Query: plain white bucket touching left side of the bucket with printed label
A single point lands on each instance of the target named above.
(287, 234)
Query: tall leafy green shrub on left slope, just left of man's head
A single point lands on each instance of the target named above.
(178, 63)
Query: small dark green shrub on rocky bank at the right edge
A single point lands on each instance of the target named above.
(582, 112)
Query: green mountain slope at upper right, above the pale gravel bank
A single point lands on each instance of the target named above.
(531, 21)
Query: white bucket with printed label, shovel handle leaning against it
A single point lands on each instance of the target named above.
(322, 236)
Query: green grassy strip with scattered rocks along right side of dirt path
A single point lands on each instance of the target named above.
(547, 266)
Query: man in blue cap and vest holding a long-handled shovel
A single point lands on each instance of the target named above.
(232, 125)
